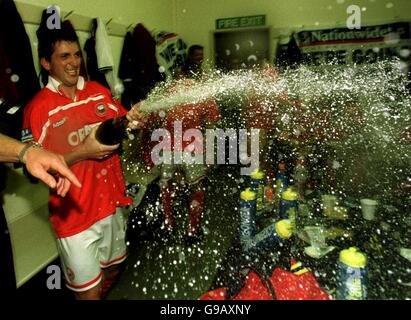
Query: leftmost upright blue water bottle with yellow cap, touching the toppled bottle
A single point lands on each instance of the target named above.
(247, 215)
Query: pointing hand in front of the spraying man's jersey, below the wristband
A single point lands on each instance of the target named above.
(42, 164)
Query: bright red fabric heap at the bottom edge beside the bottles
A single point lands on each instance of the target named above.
(282, 285)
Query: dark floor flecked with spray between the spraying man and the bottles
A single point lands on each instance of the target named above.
(166, 266)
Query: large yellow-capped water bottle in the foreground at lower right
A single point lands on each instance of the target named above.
(352, 275)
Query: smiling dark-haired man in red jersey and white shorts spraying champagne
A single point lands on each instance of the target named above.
(63, 118)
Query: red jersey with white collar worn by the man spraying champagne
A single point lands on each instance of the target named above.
(60, 125)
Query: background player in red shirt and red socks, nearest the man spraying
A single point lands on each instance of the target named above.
(184, 118)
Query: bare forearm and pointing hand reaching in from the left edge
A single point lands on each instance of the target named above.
(40, 163)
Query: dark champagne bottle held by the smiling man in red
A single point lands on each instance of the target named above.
(112, 131)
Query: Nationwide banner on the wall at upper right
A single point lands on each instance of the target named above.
(366, 45)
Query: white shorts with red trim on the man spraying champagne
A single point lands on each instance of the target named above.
(84, 255)
